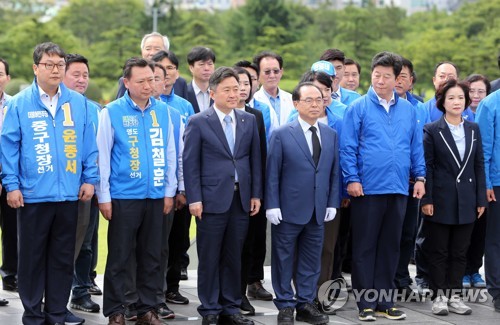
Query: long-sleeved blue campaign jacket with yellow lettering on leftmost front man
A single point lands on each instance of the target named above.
(46, 157)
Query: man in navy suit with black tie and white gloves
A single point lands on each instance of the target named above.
(302, 184)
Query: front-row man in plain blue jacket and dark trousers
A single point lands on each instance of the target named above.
(380, 148)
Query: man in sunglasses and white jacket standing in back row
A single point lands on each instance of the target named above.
(271, 71)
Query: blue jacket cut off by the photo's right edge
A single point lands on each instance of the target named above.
(488, 118)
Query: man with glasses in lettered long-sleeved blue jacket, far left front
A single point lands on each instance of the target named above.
(49, 162)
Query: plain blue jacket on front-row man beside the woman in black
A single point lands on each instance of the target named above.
(379, 149)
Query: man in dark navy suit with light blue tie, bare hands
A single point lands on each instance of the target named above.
(222, 170)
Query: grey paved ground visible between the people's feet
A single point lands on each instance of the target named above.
(417, 312)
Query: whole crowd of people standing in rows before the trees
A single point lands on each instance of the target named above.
(347, 182)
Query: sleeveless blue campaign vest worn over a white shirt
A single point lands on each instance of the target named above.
(139, 154)
